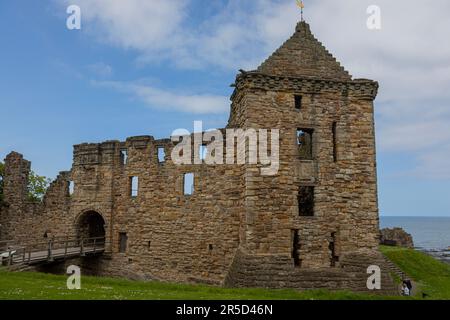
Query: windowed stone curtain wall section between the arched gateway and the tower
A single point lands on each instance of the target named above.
(170, 235)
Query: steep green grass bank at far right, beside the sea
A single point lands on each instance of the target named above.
(432, 275)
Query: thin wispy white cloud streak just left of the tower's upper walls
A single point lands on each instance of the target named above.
(171, 101)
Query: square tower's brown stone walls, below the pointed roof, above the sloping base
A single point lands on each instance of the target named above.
(345, 189)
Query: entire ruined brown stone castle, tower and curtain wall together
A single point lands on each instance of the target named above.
(312, 225)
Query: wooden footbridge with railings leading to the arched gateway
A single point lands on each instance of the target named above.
(33, 253)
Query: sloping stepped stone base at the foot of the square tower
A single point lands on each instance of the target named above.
(275, 271)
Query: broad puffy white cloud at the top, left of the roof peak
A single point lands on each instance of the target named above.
(161, 30)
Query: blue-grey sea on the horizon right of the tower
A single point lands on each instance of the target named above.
(430, 234)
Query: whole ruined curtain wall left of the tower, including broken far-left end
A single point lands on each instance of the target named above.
(171, 236)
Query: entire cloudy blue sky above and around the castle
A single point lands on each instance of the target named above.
(147, 67)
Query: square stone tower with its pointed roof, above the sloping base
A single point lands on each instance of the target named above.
(322, 205)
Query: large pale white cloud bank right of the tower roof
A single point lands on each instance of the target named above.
(410, 57)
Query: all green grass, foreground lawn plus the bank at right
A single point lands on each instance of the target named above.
(433, 276)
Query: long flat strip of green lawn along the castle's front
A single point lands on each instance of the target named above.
(30, 285)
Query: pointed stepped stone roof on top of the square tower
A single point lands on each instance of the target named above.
(304, 56)
